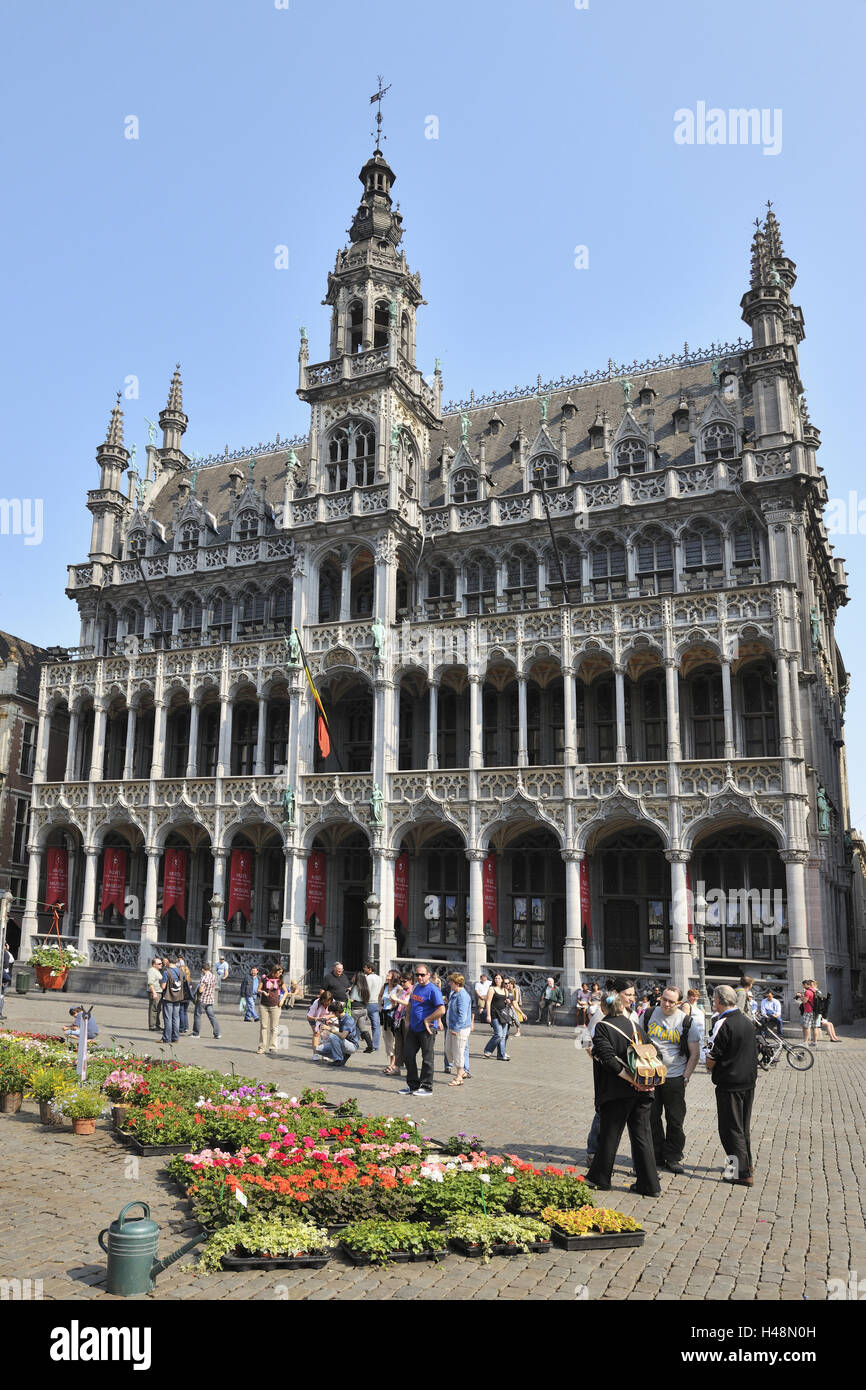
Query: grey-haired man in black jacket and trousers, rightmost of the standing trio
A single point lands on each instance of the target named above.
(733, 1064)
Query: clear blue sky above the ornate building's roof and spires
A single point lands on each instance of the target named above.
(555, 130)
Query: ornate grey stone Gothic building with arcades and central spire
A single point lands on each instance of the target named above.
(576, 646)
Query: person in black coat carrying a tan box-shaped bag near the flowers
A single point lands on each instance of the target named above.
(621, 1103)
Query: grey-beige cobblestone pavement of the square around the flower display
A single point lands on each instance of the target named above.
(801, 1225)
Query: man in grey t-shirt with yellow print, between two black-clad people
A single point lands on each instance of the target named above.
(679, 1043)
